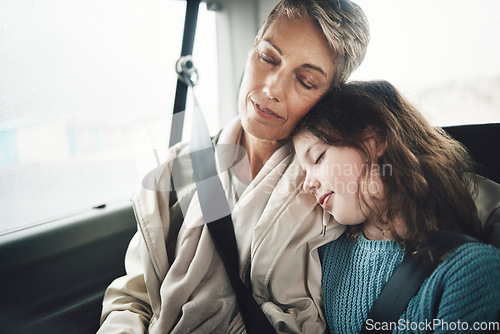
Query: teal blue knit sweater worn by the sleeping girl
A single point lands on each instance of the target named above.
(465, 287)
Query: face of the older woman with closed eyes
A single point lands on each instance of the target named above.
(287, 72)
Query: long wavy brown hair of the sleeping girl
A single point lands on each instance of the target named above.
(431, 179)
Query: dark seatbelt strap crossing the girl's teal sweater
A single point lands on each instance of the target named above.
(409, 276)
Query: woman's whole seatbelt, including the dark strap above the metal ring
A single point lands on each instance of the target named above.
(212, 198)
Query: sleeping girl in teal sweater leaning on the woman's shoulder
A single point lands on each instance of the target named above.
(376, 165)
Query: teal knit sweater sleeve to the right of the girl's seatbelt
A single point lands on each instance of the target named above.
(471, 287)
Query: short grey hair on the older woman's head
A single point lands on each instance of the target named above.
(342, 22)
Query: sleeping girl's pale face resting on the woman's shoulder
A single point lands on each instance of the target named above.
(332, 175)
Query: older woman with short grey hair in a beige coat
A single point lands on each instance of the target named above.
(175, 281)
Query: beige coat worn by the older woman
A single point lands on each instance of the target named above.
(285, 269)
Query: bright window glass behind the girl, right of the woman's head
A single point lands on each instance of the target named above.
(442, 54)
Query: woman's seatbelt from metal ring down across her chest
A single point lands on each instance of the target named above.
(214, 205)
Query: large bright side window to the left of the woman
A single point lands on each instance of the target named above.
(79, 80)
